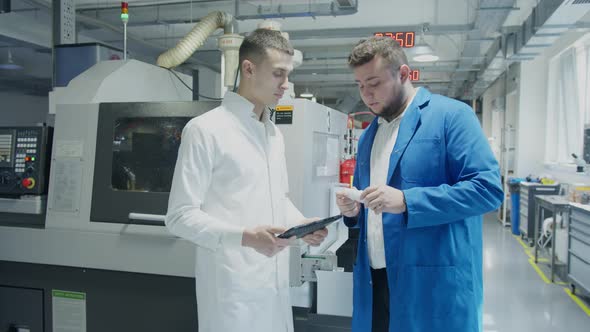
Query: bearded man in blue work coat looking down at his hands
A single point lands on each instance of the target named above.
(427, 175)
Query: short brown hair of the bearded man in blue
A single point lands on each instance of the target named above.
(385, 47)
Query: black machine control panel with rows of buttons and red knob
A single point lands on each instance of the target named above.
(24, 156)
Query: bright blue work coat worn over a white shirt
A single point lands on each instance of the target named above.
(444, 165)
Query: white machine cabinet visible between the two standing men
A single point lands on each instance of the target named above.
(314, 145)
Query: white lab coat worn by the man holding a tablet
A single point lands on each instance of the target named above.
(230, 175)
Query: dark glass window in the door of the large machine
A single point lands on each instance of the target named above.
(144, 152)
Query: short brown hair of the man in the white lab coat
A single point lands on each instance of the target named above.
(256, 43)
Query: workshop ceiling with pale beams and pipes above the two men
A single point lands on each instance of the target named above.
(466, 35)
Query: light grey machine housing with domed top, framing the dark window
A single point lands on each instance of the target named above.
(69, 238)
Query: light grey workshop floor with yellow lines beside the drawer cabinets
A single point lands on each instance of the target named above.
(516, 297)
